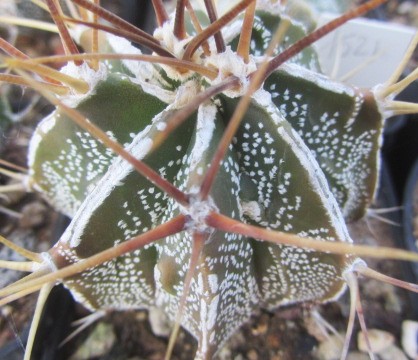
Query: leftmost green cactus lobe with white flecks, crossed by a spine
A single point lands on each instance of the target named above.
(72, 161)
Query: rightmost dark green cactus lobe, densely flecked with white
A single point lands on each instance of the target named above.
(343, 134)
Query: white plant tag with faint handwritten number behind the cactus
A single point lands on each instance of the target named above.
(363, 52)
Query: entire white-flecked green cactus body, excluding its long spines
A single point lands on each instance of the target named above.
(304, 161)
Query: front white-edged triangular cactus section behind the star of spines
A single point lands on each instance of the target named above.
(257, 184)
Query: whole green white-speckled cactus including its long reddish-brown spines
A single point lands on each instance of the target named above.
(208, 179)
